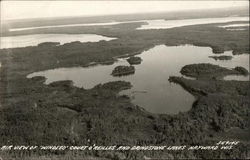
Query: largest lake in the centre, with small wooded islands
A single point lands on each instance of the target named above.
(151, 88)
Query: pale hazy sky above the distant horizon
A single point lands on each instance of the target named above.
(37, 9)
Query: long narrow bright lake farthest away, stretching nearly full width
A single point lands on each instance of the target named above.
(151, 24)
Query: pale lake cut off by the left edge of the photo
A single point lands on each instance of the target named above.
(35, 39)
